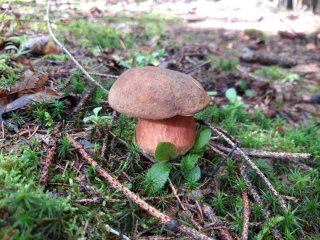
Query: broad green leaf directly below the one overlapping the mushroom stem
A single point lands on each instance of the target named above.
(157, 177)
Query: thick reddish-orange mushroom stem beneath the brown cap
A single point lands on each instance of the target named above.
(178, 130)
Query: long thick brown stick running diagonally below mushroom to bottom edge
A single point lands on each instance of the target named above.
(170, 223)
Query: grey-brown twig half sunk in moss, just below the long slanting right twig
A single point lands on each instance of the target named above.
(255, 195)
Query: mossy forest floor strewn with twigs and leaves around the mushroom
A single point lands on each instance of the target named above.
(265, 88)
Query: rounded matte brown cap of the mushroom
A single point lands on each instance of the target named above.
(157, 93)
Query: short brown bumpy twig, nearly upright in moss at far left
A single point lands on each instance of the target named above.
(48, 161)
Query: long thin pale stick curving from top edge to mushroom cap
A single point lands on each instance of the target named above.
(67, 52)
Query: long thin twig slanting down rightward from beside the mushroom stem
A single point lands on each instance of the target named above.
(252, 165)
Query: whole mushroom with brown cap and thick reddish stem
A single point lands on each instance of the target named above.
(164, 102)
